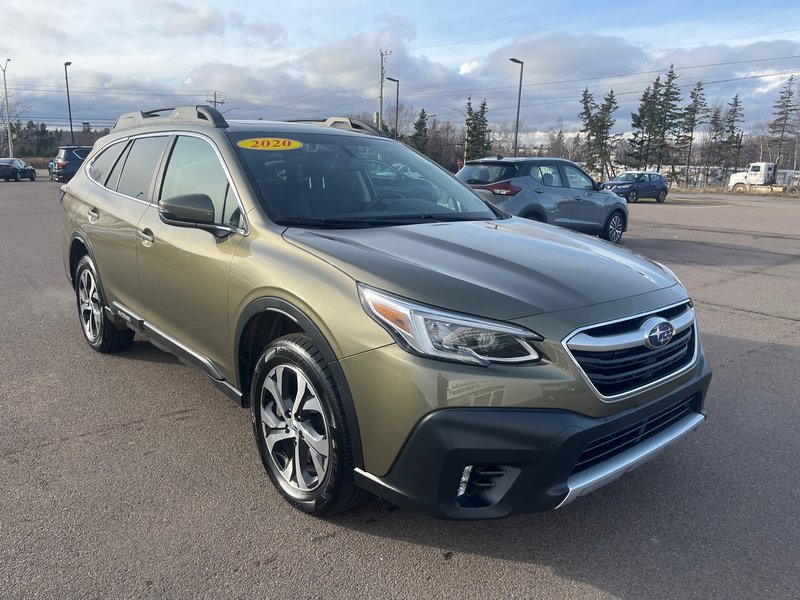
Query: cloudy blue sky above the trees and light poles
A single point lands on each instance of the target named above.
(306, 59)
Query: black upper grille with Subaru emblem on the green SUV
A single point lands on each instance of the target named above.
(619, 370)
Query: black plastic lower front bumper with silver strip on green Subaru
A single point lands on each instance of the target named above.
(530, 460)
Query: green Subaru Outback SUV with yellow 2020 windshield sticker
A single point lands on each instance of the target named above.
(403, 338)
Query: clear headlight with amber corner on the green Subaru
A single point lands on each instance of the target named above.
(450, 336)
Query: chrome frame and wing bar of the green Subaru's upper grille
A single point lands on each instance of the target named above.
(623, 340)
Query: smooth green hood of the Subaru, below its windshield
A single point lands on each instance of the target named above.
(499, 269)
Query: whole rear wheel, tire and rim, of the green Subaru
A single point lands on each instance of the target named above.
(99, 331)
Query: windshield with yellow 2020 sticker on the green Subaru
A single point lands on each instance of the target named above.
(331, 180)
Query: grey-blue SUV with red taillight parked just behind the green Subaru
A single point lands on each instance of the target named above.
(549, 190)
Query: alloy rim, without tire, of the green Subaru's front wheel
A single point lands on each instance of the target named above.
(295, 429)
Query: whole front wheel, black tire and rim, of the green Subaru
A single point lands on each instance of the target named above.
(292, 446)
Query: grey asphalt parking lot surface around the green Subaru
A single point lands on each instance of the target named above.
(130, 475)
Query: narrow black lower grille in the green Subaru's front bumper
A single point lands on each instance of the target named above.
(612, 444)
